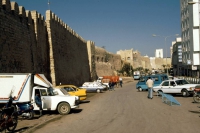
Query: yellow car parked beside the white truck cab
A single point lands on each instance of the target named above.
(74, 91)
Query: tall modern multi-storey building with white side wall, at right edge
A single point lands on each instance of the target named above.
(190, 37)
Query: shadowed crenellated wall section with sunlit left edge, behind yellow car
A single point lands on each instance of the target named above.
(68, 53)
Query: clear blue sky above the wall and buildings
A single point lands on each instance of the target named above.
(117, 24)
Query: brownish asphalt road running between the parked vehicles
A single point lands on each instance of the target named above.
(128, 111)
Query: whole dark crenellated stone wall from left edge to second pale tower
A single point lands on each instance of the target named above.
(30, 44)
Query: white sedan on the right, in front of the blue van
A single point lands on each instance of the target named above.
(176, 86)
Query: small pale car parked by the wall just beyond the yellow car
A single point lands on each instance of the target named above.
(93, 87)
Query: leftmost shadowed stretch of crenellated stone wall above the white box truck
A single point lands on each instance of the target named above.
(17, 40)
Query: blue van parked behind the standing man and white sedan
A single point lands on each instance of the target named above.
(157, 78)
